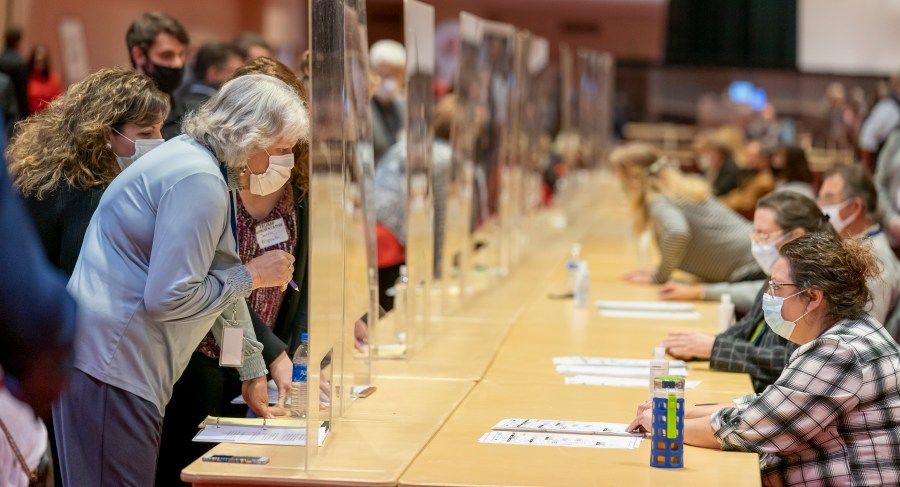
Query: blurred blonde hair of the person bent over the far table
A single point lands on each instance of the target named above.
(647, 176)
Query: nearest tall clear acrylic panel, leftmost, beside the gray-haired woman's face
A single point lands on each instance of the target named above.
(326, 278)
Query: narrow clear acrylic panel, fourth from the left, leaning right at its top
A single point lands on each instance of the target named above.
(468, 121)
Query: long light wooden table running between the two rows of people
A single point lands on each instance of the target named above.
(492, 360)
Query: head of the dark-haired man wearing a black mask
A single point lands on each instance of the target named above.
(157, 47)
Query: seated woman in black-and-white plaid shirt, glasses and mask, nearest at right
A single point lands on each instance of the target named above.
(833, 416)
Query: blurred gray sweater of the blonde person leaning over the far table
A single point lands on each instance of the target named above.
(705, 239)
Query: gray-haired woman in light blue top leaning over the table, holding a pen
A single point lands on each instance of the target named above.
(159, 267)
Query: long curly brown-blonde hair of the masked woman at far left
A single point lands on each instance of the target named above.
(66, 143)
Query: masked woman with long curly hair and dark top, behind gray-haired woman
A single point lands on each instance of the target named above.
(64, 157)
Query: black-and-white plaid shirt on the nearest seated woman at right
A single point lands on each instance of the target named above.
(832, 418)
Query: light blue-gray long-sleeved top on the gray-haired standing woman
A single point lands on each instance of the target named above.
(158, 268)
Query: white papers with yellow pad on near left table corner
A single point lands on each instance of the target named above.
(252, 431)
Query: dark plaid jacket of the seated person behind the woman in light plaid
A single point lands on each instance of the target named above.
(734, 352)
